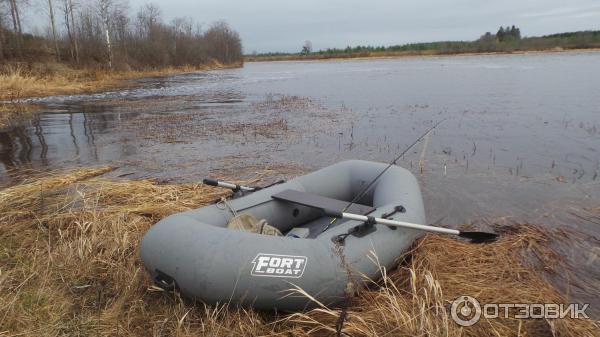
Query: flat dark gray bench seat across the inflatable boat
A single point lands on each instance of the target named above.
(321, 202)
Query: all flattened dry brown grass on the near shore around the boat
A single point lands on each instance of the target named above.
(69, 265)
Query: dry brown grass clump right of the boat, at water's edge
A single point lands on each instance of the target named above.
(414, 299)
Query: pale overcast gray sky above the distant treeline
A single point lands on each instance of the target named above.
(283, 25)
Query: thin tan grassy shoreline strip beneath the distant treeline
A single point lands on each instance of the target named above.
(404, 54)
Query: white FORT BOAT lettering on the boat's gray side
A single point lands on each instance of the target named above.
(275, 265)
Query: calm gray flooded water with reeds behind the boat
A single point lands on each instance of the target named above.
(521, 141)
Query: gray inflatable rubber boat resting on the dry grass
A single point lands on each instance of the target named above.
(196, 252)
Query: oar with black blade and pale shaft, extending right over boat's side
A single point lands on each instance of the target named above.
(476, 237)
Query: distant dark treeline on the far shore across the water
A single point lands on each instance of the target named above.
(507, 39)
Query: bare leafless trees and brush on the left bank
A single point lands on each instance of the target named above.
(102, 33)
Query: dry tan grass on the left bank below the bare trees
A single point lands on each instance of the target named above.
(17, 82)
